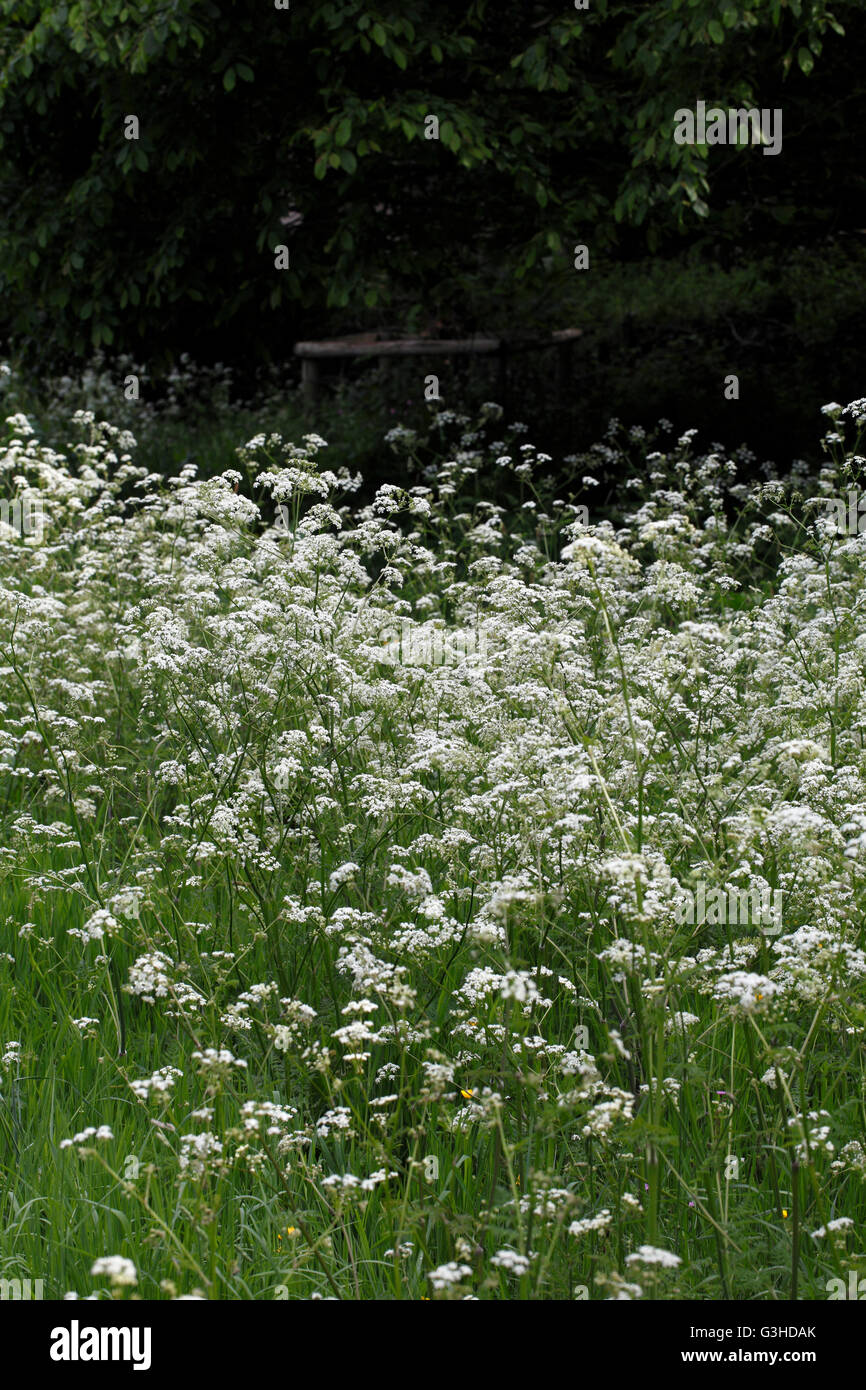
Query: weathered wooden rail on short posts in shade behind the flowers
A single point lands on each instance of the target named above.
(383, 348)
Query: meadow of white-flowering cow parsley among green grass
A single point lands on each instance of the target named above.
(345, 854)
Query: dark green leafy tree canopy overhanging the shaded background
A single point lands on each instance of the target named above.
(307, 126)
